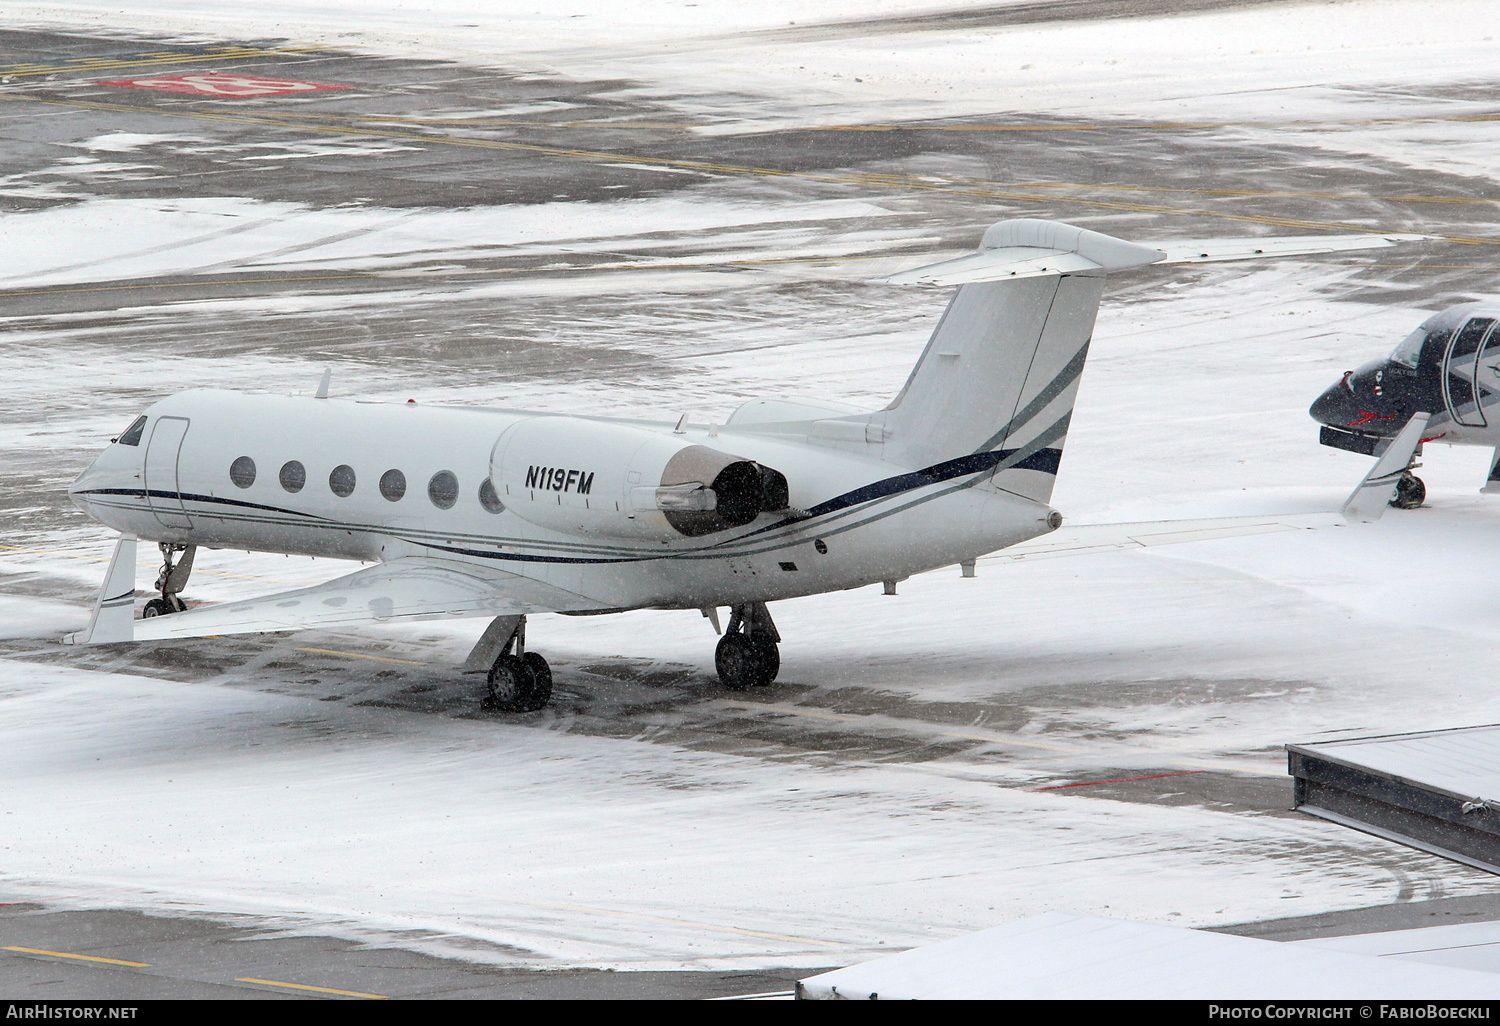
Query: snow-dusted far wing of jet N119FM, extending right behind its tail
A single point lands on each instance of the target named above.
(1084, 539)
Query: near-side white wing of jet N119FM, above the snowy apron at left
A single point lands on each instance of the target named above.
(397, 592)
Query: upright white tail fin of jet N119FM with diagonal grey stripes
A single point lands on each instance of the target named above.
(1001, 373)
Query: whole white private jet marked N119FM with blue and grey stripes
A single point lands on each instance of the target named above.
(503, 514)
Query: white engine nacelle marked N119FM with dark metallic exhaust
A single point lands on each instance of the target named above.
(614, 481)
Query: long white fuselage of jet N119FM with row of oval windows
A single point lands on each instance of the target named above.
(550, 499)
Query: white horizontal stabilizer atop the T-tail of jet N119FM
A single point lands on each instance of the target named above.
(1030, 248)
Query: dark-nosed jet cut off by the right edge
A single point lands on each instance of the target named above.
(1450, 368)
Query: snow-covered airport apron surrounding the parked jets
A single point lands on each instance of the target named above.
(884, 794)
